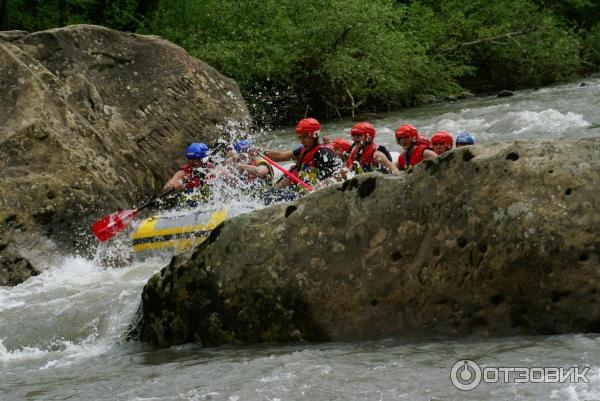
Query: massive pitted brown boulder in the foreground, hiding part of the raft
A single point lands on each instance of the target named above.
(483, 241)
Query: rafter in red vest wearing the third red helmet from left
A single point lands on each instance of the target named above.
(366, 155)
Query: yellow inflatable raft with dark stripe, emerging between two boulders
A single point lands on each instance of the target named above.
(176, 233)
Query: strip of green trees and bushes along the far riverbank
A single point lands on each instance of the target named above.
(339, 57)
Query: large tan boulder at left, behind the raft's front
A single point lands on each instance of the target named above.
(94, 119)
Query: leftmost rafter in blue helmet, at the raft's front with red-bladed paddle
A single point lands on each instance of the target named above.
(194, 177)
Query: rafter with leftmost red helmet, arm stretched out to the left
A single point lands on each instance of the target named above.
(315, 163)
